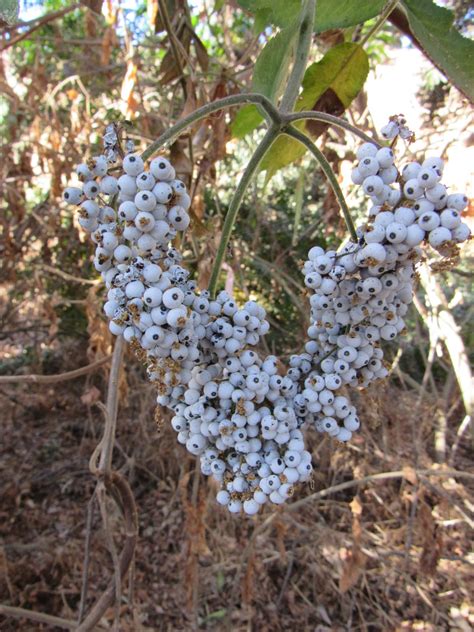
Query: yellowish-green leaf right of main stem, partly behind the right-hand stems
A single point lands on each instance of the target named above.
(336, 79)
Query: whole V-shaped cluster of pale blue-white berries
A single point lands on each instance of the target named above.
(240, 413)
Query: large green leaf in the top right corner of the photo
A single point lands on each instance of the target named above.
(452, 53)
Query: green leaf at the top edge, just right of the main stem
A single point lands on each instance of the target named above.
(344, 13)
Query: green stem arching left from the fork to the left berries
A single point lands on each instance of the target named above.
(271, 114)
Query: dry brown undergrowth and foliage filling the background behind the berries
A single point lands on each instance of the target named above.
(392, 555)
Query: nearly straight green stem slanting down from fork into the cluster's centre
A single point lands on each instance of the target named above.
(236, 201)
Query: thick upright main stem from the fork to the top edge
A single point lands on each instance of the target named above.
(302, 51)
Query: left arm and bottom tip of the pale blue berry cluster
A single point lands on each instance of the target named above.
(230, 406)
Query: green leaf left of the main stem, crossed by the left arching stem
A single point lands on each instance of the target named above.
(269, 77)
